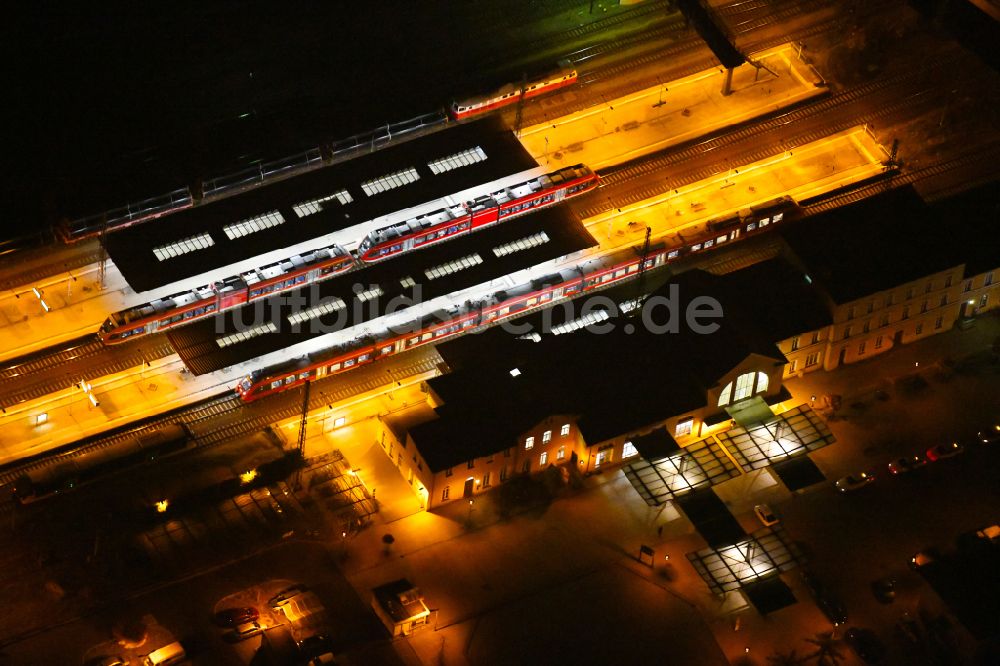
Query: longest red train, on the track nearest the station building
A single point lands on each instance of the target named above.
(567, 283)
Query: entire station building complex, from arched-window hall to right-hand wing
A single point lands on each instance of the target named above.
(847, 285)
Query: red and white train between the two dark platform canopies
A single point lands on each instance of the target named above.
(301, 269)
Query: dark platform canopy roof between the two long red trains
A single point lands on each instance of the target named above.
(458, 264)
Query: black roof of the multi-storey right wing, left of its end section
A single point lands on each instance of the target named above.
(872, 245)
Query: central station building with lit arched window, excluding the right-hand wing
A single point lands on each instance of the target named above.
(589, 401)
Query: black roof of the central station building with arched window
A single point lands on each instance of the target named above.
(616, 382)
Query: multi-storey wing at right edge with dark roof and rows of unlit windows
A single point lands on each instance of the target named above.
(893, 270)
